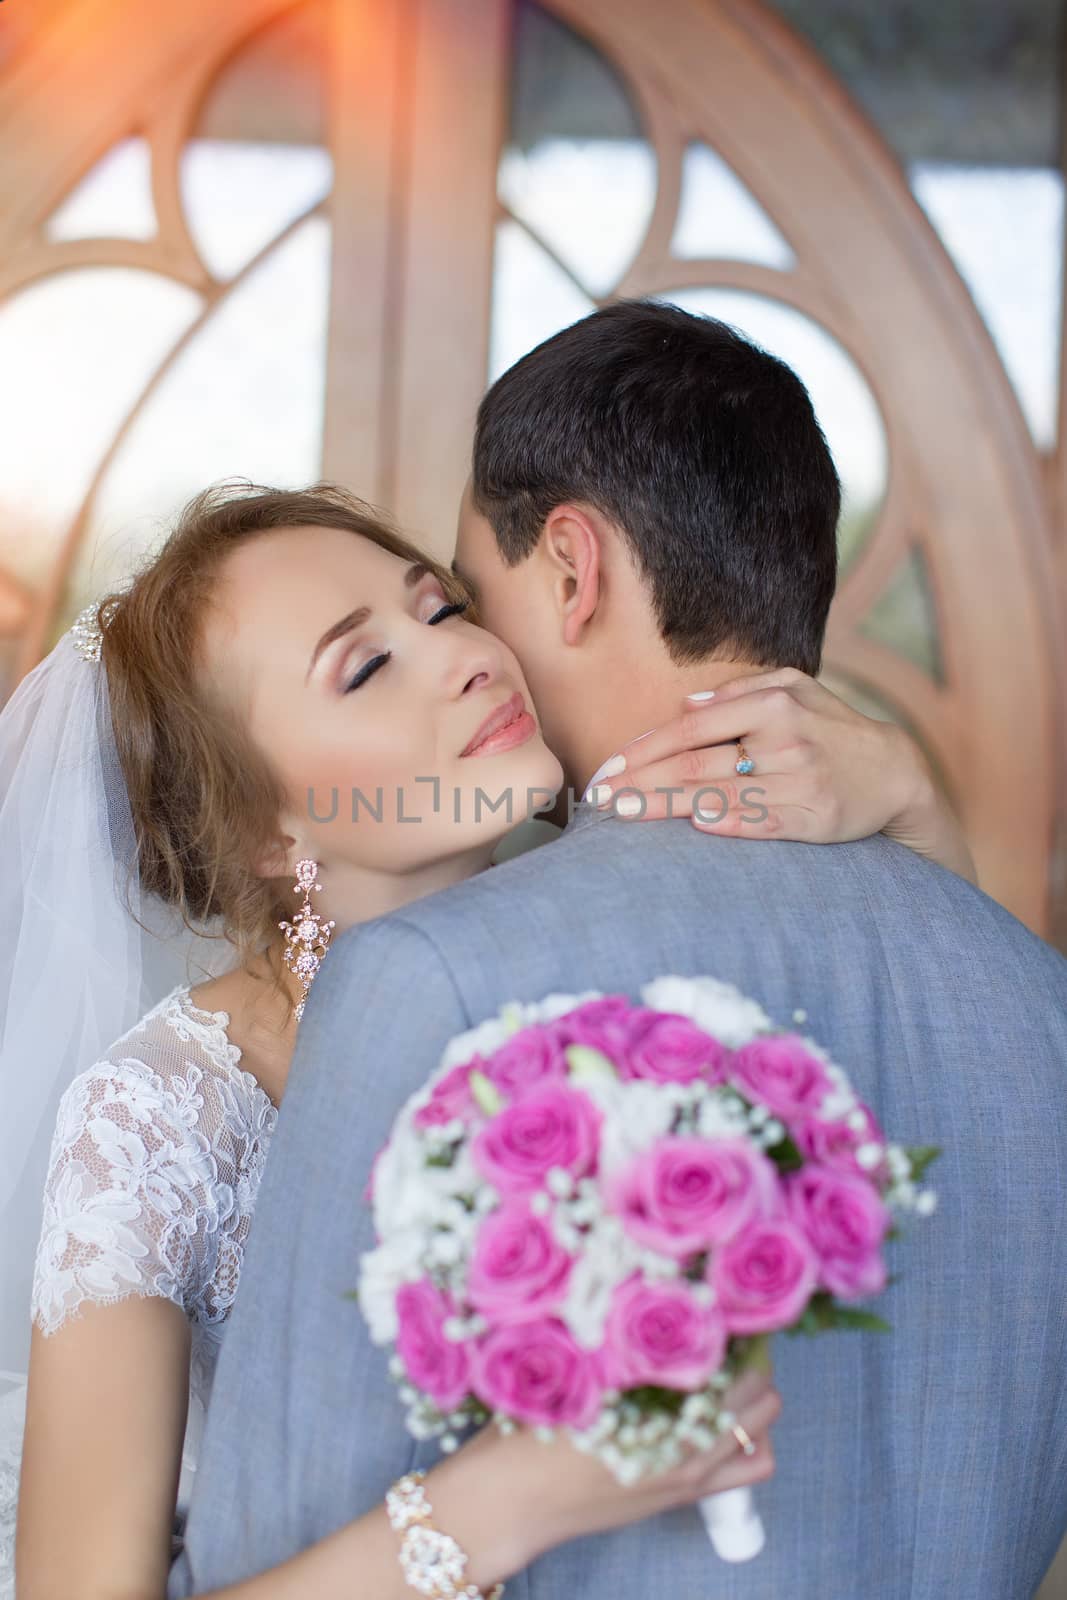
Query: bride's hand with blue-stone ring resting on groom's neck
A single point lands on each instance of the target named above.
(820, 772)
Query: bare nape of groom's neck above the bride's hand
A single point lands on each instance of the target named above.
(612, 714)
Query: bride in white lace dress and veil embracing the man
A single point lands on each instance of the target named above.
(209, 778)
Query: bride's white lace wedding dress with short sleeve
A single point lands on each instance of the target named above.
(154, 1170)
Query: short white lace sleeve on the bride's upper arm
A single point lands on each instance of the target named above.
(134, 1198)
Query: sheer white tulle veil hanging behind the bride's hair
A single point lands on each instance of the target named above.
(76, 969)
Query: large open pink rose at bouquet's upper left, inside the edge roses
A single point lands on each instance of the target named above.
(545, 1129)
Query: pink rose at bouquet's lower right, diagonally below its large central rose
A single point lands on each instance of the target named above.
(765, 1278)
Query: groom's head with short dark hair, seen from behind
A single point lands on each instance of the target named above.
(649, 492)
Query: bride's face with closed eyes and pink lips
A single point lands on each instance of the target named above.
(404, 735)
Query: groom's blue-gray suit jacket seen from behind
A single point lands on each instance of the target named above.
(927, 1463)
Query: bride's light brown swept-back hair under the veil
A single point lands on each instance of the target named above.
(204, 798)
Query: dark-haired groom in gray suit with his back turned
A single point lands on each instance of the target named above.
(653, 508)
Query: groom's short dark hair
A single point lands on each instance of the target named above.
(705, 452)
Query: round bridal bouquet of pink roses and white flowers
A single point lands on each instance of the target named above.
(596, 1212)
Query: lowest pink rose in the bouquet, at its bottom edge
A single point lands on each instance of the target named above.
(537, 1374)
